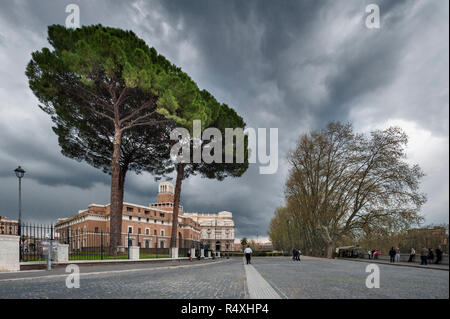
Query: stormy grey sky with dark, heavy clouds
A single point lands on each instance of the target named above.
(291, 65)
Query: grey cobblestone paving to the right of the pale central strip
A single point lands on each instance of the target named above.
(325, 278)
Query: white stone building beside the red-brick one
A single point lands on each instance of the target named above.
(217, 230)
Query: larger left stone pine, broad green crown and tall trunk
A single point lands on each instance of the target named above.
(109, 77)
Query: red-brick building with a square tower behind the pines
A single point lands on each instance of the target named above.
(144, 226)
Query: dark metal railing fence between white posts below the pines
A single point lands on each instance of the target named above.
(91, 245)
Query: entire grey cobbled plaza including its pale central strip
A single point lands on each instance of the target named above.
(267, 277)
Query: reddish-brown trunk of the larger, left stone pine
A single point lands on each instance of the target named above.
(115, 216)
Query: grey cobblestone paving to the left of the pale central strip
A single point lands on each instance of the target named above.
(211, 279)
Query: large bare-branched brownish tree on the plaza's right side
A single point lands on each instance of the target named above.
(346, 184)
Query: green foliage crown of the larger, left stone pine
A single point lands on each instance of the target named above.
(95, 59)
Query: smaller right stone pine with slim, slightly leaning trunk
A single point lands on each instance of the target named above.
(220, 118)
